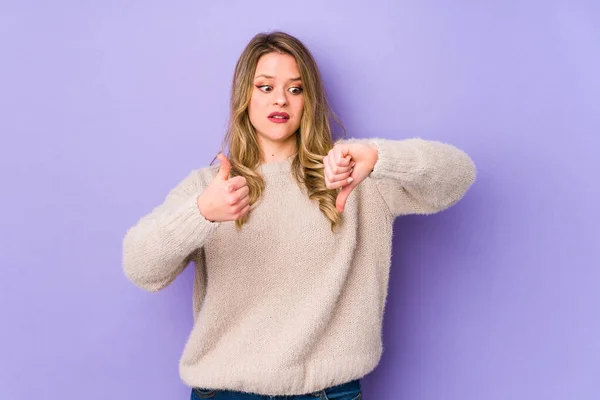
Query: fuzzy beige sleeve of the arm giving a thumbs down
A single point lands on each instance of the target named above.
(416, 176)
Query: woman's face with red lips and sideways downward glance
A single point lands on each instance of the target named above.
(277, 89)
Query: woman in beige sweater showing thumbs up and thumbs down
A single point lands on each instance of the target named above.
(290, 236)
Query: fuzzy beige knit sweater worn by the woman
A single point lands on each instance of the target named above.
(285, 306)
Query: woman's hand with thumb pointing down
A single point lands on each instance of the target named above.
(347, 165)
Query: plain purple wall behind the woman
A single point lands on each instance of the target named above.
(106, 105)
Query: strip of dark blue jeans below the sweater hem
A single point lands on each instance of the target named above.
(346, 391)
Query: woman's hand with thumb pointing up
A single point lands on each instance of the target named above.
(224, 199)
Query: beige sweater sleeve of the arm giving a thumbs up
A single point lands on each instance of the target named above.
(162, 243)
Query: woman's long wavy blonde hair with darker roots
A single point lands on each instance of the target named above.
(314, 137)
